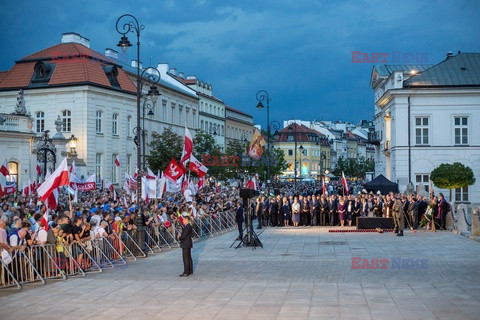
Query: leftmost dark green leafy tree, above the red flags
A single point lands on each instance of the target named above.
(163, 148)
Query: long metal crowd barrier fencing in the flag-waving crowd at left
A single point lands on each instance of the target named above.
(39, 263)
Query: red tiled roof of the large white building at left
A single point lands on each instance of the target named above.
(74, 64)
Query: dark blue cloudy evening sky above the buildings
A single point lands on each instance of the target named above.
(299, 51)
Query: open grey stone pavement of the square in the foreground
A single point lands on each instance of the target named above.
(302, 273)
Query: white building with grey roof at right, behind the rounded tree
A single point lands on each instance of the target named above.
(426, 116)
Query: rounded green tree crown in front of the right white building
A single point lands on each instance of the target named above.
(451, 176)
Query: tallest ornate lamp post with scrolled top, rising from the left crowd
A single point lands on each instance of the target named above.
(130, 24)
